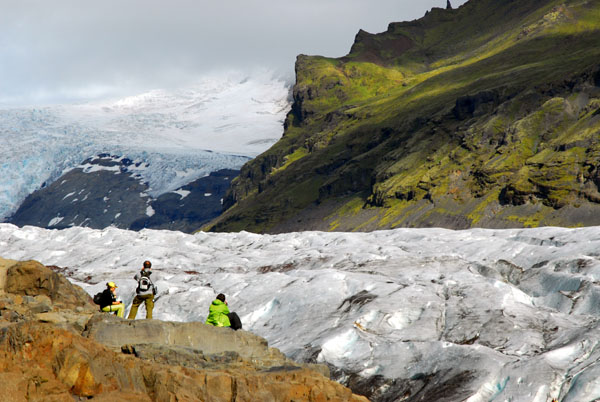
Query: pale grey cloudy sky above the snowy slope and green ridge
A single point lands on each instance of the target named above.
(62, 50)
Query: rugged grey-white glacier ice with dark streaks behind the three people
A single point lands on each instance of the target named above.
(409, 314)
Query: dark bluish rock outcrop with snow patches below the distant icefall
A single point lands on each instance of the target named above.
(108, 191)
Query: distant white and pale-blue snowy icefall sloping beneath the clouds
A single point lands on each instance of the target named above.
(182, 134)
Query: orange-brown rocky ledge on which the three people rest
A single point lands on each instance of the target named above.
(56, 346)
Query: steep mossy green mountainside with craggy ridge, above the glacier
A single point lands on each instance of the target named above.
(484, 116)
